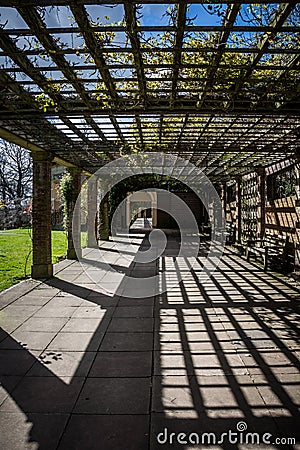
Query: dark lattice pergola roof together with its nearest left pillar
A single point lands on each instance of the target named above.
(214, 82)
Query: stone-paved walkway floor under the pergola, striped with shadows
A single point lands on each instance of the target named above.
(84, 370)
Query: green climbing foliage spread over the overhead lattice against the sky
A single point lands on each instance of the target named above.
(202, 76)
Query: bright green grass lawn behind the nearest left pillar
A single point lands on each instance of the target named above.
(16, 257)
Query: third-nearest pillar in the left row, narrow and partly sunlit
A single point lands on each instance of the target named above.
(92, 212)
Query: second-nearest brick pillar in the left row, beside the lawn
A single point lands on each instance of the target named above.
(73, 216)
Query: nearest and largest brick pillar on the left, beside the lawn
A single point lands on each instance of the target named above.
(41, 216)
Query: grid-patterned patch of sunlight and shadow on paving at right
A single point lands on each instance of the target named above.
(227, 348)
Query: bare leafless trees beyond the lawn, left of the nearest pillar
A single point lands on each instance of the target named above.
(15, 185)
